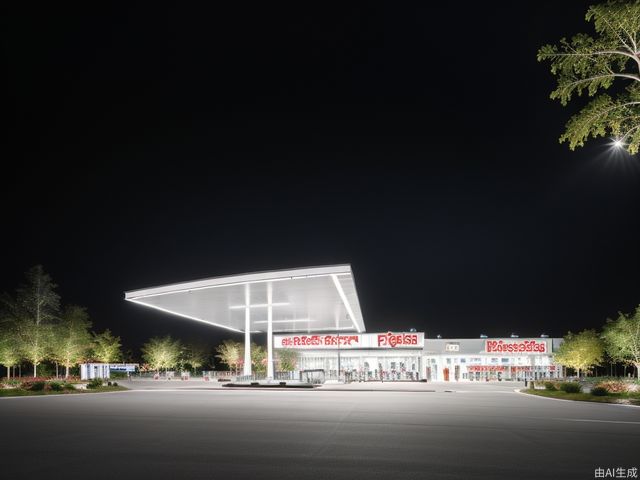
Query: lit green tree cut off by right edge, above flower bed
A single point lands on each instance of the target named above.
(622, 339)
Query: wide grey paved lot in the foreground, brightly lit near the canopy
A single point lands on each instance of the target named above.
(477, 431)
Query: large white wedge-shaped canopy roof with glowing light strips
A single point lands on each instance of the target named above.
(303, 300)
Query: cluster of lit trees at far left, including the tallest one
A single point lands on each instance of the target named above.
(36, 328)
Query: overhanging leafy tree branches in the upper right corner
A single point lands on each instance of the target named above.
(590, 64)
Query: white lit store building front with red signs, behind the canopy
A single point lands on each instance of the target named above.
(394, 356)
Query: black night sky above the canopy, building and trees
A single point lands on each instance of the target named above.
(151, 145)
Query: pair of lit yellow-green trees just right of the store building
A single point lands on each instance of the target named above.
(619, 342)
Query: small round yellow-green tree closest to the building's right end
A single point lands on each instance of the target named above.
(580, 351)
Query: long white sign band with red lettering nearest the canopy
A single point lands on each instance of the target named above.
(347, 341)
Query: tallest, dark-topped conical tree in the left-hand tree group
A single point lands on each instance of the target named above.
(33, 313)
